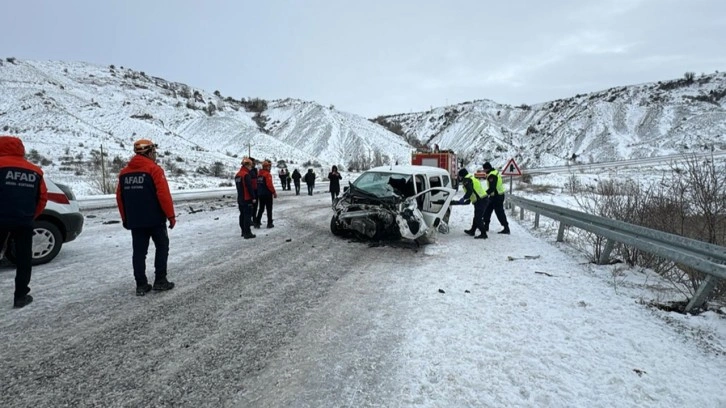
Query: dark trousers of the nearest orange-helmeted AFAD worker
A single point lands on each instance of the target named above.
(140, 241)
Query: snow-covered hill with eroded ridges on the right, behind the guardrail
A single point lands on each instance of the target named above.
(619, 123)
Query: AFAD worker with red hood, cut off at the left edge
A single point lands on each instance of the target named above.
(23, 196)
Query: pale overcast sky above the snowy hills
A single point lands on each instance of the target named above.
(374, 57)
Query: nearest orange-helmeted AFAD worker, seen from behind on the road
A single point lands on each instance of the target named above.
(145, 204)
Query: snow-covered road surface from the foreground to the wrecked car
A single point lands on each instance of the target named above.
(300, 318)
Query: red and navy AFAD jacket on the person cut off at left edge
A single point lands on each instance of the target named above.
(23, 193)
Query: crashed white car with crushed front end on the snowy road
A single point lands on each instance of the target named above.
(395, 202)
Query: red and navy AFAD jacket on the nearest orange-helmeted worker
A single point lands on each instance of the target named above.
(143, 195)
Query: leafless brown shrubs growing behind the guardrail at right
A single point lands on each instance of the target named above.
(690, 201)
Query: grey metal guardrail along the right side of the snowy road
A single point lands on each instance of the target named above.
(702, 256)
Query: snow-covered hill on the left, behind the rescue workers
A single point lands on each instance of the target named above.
(67, 112)
